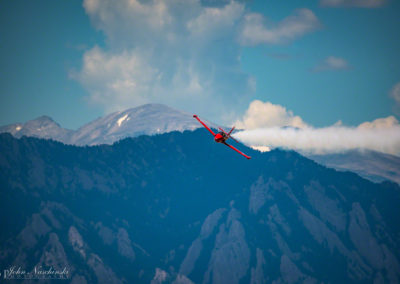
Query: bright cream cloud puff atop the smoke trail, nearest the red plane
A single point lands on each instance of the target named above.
(265, 114)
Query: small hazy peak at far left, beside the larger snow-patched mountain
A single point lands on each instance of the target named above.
(41, 127)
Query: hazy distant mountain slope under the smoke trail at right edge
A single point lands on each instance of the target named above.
(372, 165)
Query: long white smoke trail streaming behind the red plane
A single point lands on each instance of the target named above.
(326, 140)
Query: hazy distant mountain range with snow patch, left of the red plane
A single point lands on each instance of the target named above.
(147, 119)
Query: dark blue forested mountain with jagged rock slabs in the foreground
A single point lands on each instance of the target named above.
(179, 208)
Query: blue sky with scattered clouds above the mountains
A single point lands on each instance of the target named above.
(325, 61)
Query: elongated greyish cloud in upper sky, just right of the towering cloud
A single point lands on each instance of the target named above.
(255, 31)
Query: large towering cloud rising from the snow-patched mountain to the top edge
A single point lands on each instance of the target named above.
(178, 52)
